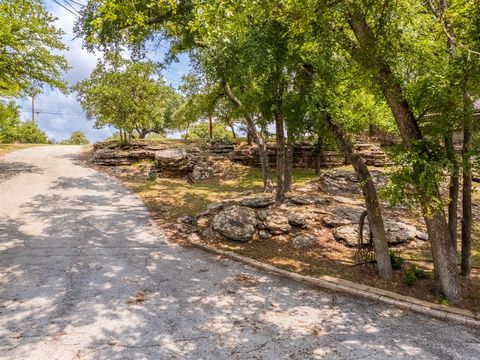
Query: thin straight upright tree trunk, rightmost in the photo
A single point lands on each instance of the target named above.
(466, 194)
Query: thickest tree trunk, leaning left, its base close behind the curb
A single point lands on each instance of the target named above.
(437, 227)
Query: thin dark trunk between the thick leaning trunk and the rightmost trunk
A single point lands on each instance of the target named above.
(453, 193)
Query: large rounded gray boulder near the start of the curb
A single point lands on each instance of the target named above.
(236, 223)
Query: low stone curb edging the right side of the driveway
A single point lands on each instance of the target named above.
(464, 317)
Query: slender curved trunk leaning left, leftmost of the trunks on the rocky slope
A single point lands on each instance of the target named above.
(259, 141)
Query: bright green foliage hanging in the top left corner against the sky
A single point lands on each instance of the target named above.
(28, 45)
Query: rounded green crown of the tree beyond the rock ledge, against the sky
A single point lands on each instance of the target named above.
(131, 96)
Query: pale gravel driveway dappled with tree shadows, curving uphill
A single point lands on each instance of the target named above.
(83, 275)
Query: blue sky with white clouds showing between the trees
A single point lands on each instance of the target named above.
(58, 114)
